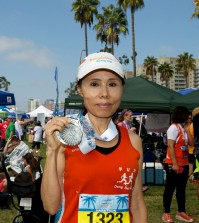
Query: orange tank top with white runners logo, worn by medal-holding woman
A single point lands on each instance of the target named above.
(108, 178)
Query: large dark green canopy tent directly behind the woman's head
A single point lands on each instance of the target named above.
(140, 95)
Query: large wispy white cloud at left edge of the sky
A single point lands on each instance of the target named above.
(24, 50)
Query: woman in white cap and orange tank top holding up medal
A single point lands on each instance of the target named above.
(93, 185)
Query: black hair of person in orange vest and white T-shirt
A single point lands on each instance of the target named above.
(180, 115)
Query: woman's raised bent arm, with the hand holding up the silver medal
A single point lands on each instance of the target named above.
(52, 181)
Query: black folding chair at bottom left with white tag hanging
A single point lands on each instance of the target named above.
(30, 192)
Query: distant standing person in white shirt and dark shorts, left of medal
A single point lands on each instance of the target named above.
(38, 137)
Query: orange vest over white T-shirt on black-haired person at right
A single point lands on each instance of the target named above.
(180, 149)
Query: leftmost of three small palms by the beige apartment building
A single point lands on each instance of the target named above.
(150, 63)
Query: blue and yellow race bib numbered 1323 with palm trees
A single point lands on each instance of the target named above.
(103, 208)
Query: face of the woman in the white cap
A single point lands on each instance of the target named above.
(102, 92)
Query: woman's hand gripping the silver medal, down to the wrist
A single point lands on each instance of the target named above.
(56, 124)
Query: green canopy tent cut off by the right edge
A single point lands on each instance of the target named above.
(190, 100)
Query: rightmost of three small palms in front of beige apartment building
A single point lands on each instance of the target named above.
(185, 63)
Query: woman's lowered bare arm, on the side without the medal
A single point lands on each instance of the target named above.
(138, 204)
